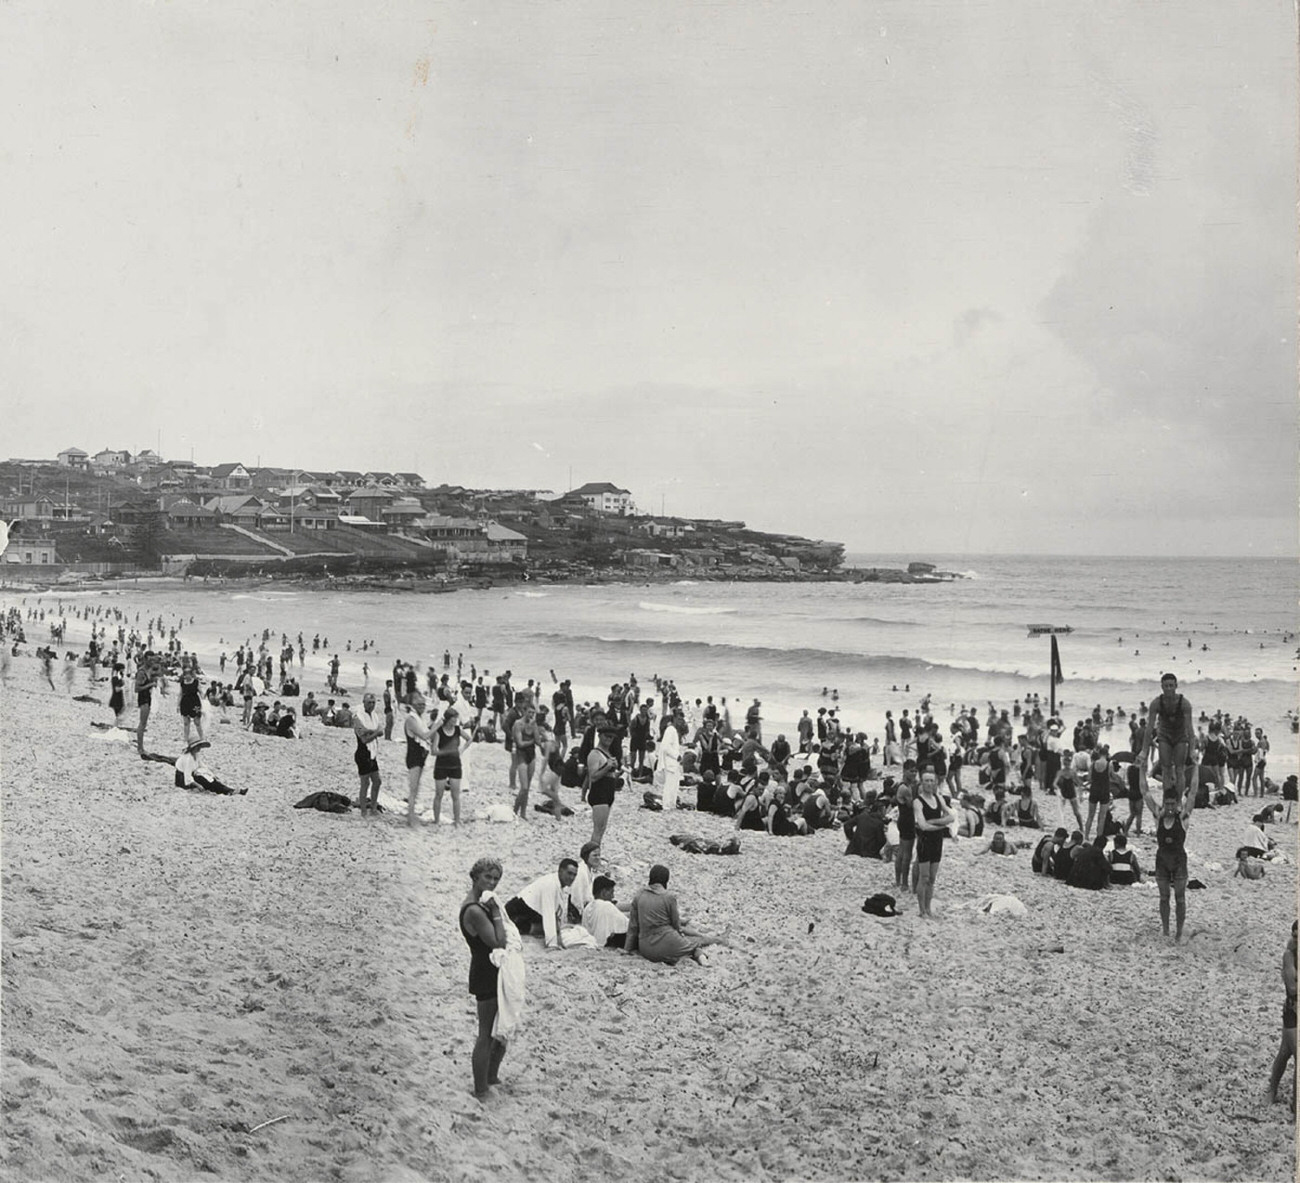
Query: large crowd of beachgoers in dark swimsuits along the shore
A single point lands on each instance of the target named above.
(898, 791)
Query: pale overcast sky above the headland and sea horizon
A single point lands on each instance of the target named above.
(917, 278)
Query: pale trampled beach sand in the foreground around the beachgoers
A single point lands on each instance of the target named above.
(180, 968)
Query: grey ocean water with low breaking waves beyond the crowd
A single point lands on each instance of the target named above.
(964, 643)
